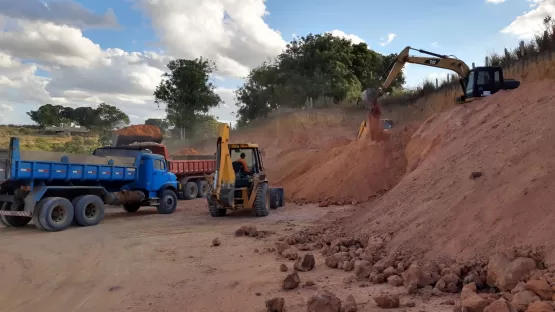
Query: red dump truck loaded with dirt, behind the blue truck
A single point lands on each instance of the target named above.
(189, 169)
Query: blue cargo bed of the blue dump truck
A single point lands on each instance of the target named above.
(48, 166)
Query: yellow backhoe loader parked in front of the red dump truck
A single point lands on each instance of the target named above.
(233, 186)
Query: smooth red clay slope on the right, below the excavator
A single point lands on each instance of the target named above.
(440, 208)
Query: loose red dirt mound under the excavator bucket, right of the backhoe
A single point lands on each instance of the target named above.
(353, 172)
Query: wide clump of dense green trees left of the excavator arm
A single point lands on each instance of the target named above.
(313, 66)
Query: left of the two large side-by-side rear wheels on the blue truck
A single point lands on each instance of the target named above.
(56, 214)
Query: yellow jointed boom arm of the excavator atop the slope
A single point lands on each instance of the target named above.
(437, 60)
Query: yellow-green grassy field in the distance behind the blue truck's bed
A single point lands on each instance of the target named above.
(32, 139)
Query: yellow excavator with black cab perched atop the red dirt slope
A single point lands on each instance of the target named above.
(475, 83)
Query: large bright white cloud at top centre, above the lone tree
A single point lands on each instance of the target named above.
(230, 32)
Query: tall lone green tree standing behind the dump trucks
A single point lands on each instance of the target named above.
(187, 92)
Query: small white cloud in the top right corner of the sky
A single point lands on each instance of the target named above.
(530, 23)
